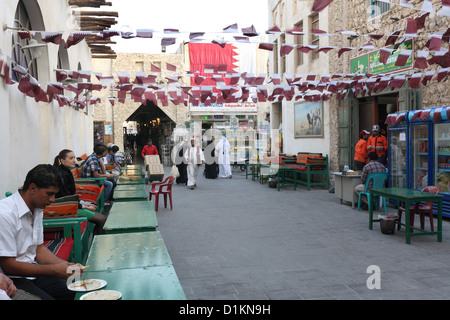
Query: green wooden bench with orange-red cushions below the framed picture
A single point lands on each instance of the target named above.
(309, 165)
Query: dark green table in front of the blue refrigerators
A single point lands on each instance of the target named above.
(408, 196)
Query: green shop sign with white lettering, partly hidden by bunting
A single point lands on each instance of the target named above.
(370, 62)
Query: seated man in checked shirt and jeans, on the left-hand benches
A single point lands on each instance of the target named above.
(94, 168)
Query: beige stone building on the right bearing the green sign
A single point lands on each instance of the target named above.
(343, 119)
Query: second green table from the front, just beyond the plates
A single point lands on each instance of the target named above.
(127, 251)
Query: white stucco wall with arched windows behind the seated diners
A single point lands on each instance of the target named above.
(32, 133)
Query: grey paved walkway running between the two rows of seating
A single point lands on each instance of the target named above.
(238, 239)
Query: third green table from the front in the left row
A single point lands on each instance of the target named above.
(133, 216)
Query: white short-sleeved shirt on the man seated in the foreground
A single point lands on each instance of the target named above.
(20, 230)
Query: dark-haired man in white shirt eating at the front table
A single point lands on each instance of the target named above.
(23, 257)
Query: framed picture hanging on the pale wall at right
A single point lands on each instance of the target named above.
(308, 120)
